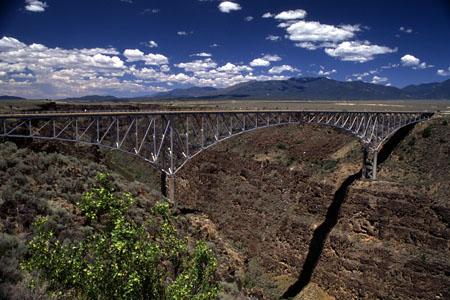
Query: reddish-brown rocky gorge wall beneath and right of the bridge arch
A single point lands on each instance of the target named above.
(270, 193)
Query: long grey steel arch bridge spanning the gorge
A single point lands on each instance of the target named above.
(169, 139)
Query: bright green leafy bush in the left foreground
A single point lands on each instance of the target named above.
(121, 259)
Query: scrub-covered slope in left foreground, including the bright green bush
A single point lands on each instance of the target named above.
(65, 234)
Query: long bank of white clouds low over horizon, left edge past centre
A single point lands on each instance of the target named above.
(35, 71)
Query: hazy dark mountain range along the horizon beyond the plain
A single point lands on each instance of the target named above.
(303, 88)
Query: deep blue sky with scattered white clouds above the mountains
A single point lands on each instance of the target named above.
(60, 48)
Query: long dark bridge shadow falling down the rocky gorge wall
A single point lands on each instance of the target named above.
(321, 233)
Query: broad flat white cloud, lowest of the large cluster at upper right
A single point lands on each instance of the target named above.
(358, 51)
